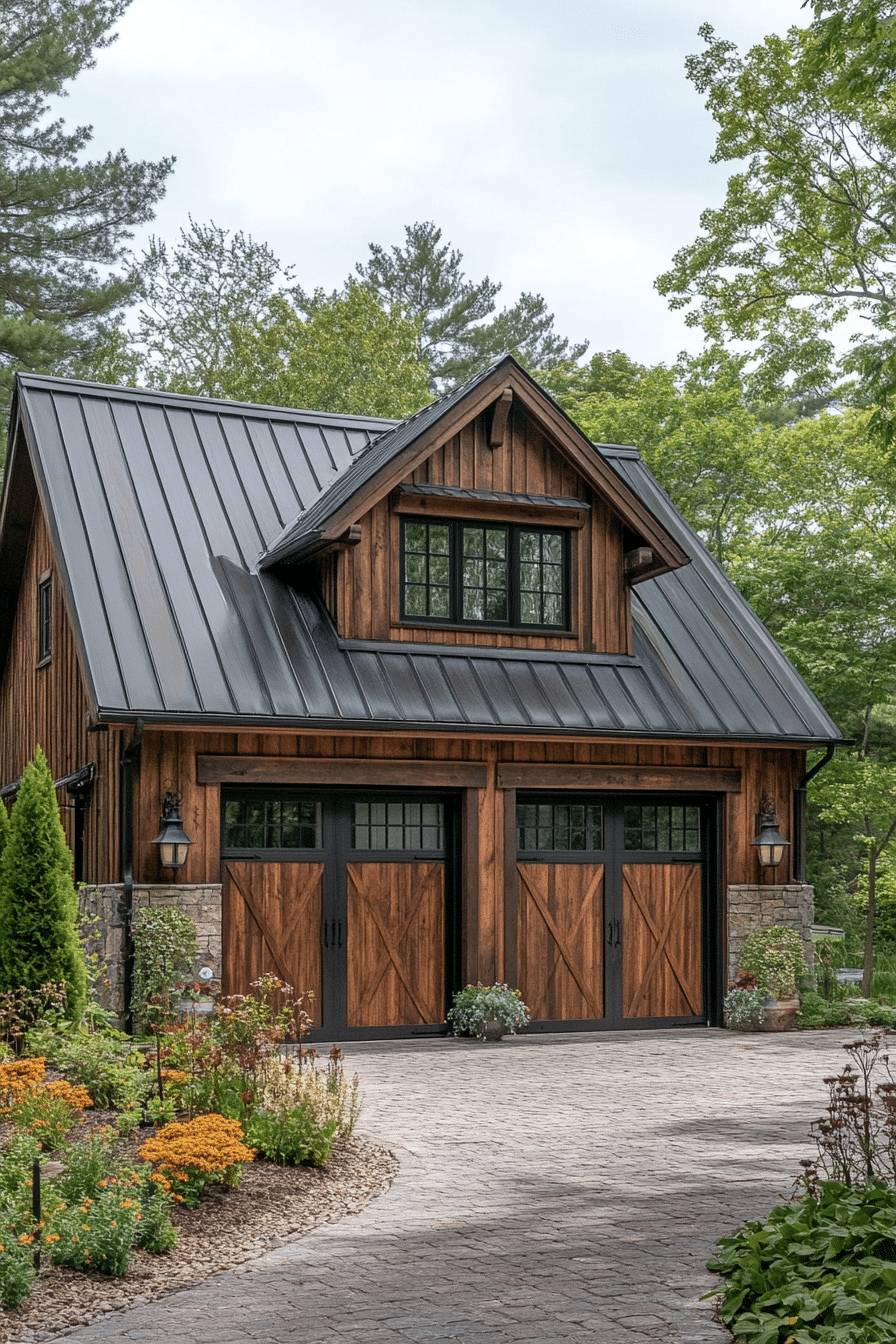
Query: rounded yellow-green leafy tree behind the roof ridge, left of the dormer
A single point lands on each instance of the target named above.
(343, 354)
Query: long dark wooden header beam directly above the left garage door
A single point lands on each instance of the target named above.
(359, 773)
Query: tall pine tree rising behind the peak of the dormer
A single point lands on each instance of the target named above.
(460, 333)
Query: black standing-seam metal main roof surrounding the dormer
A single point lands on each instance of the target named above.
(161, 507)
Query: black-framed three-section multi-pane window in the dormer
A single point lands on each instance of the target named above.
(486, 573)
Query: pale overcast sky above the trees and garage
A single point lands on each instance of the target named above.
(559, 146)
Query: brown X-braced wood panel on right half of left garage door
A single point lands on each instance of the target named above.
(397, 944)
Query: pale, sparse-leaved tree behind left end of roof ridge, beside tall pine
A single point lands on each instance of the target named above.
(195, 296)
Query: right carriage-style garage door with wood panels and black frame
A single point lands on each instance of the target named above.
(612, 909)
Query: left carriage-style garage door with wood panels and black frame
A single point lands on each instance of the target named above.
(347, 896)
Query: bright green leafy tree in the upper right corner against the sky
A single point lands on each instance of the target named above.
(805, 239)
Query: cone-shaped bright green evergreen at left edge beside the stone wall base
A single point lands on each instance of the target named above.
(38, 901)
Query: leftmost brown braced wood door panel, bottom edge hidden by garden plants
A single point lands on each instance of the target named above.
(272, 919)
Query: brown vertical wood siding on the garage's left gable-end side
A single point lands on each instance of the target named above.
(48, 705)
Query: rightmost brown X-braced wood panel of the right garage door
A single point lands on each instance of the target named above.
(662, 951)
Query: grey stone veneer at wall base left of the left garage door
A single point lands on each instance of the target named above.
(104, 904)
